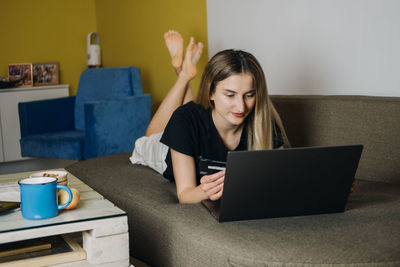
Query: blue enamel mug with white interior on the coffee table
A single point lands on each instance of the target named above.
(39, 197)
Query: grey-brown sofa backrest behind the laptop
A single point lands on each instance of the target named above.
(338, 120)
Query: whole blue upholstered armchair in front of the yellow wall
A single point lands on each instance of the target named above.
(107, 115)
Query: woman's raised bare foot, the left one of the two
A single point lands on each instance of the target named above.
(174, 42)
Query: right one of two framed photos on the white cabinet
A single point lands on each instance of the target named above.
(46, 73)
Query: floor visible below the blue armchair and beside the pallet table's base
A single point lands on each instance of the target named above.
(43, 164)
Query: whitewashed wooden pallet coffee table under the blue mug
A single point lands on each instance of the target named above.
(103, 226)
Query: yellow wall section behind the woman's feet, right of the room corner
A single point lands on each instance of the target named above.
(131, 33)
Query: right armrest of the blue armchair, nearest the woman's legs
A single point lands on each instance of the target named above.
(113, 125)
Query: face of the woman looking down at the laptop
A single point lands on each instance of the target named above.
(234, 98)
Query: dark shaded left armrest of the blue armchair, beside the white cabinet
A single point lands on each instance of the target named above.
(44, 116)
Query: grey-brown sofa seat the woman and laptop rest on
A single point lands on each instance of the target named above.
(165, 233)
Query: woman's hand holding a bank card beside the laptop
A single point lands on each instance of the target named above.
(213, 185)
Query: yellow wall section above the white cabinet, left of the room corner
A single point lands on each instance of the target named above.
(46, 31)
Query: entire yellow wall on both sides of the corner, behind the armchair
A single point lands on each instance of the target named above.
(131, 33)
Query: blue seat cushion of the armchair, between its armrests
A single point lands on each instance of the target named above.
(67, 145)
